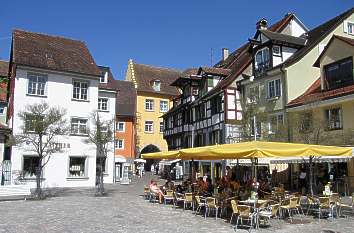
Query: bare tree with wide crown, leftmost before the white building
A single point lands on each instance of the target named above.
(41, 126)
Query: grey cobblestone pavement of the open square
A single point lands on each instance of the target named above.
(125, 210)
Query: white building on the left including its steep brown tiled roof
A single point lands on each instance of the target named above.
(61, 72)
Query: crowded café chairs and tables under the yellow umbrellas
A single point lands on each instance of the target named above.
(249, 212)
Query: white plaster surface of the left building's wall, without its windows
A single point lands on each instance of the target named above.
(59, 93)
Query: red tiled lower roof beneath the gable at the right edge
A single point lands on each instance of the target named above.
(314, 93)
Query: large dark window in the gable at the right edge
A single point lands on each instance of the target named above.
(339, 74)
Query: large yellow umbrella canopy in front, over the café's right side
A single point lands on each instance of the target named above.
(257, 149)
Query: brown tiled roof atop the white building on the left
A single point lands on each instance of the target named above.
(52, 52)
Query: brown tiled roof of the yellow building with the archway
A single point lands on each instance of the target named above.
(145, 75)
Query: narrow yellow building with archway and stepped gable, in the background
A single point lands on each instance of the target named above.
(154, 98)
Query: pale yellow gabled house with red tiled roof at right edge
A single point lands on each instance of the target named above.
(324, 114)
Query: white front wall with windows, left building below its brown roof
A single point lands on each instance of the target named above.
(79, 95)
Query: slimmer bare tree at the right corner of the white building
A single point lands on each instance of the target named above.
(102, 136)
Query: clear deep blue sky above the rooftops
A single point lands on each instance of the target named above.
(176, 34)
